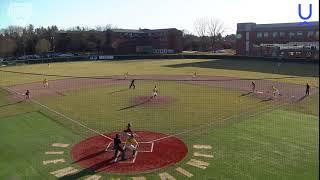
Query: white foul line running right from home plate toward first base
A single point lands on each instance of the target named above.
(211, 123)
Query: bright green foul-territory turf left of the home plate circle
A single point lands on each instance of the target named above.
(24, 140)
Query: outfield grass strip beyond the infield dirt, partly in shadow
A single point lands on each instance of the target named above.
(298, 73)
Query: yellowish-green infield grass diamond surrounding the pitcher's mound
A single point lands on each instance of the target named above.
(193, 105)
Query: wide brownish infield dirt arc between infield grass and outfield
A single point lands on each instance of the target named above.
(288, 92)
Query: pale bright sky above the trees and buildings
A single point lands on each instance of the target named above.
(151, 14)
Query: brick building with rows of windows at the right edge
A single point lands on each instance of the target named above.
(288, 40)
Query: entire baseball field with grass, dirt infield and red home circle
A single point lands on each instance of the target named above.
(206, 122)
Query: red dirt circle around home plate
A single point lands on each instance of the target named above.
(96, 154)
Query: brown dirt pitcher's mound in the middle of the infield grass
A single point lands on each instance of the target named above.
(150, 100)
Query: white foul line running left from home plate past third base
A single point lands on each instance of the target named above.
(52, 110)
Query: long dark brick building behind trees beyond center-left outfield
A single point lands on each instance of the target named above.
(121, 41)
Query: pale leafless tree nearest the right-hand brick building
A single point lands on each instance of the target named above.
(215, 30)
